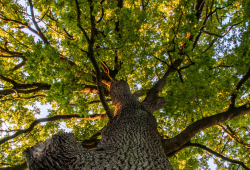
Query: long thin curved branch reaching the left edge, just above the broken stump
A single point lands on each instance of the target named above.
(54, 118)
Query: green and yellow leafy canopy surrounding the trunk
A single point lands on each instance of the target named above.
(43, 59)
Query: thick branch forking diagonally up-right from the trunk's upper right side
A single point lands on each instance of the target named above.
(152, 101)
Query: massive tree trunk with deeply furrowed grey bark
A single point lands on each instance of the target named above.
(130, 141)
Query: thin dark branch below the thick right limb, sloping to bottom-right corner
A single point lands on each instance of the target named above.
(217, 154)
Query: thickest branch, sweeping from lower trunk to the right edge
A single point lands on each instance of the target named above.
(178, 141)
